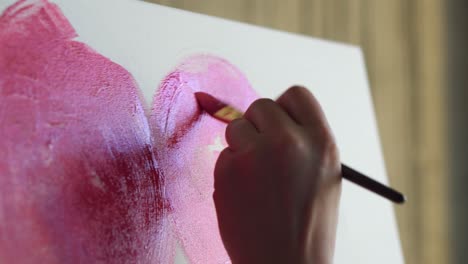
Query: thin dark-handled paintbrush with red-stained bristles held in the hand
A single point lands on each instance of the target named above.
(227, 113)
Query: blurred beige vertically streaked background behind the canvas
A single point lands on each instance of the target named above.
(404, 44)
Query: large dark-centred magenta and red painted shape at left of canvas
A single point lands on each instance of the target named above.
(79, 182)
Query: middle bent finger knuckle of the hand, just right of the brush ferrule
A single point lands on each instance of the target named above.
(267, 116)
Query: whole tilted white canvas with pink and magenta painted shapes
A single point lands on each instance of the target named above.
(105, 156)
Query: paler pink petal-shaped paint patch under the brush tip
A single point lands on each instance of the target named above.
(188, 142)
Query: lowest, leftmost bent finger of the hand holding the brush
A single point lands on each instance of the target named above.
(239, 133)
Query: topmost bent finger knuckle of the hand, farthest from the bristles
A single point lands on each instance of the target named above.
(302, 106)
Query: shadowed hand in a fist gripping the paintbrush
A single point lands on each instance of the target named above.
(278, 183)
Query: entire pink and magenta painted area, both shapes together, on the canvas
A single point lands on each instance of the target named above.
(84, 177)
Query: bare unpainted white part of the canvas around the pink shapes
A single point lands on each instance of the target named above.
(149, 40)
